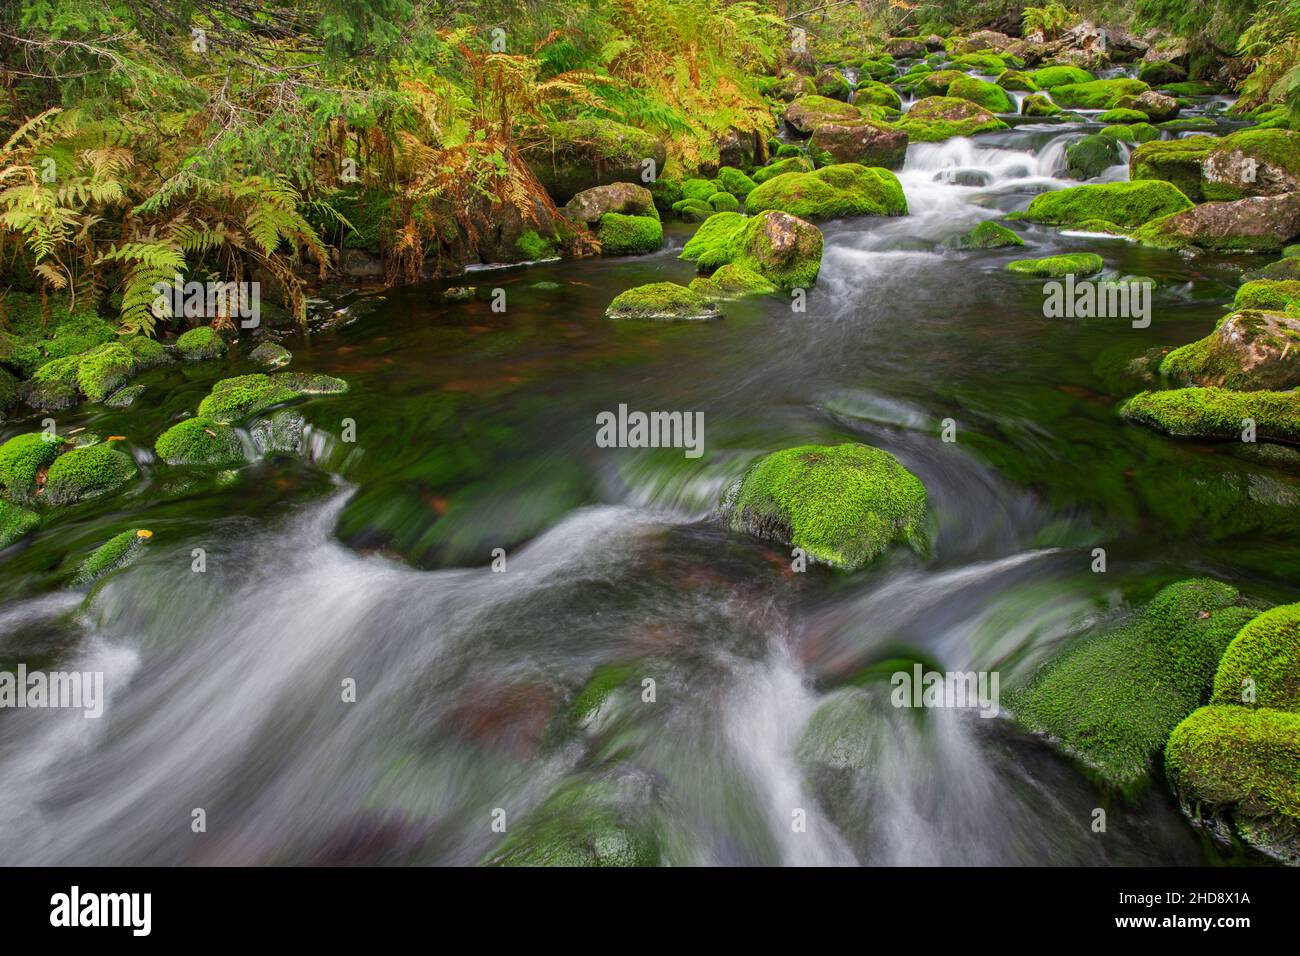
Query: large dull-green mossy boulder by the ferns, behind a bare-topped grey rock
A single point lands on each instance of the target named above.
(574, 155)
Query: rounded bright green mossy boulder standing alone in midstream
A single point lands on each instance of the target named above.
(842, 504)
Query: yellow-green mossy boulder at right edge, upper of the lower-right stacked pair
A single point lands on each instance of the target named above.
(1266, 652)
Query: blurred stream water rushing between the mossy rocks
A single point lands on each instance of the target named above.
(371, 561)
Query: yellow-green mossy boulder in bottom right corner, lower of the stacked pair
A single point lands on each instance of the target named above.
(1238, 765)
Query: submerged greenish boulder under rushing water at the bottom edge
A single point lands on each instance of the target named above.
(590, 823)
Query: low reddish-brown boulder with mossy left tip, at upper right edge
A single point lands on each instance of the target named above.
(1256, 224)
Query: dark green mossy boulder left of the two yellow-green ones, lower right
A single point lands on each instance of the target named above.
(1113, 699)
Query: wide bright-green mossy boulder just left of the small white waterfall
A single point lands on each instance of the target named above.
(846, 189)
